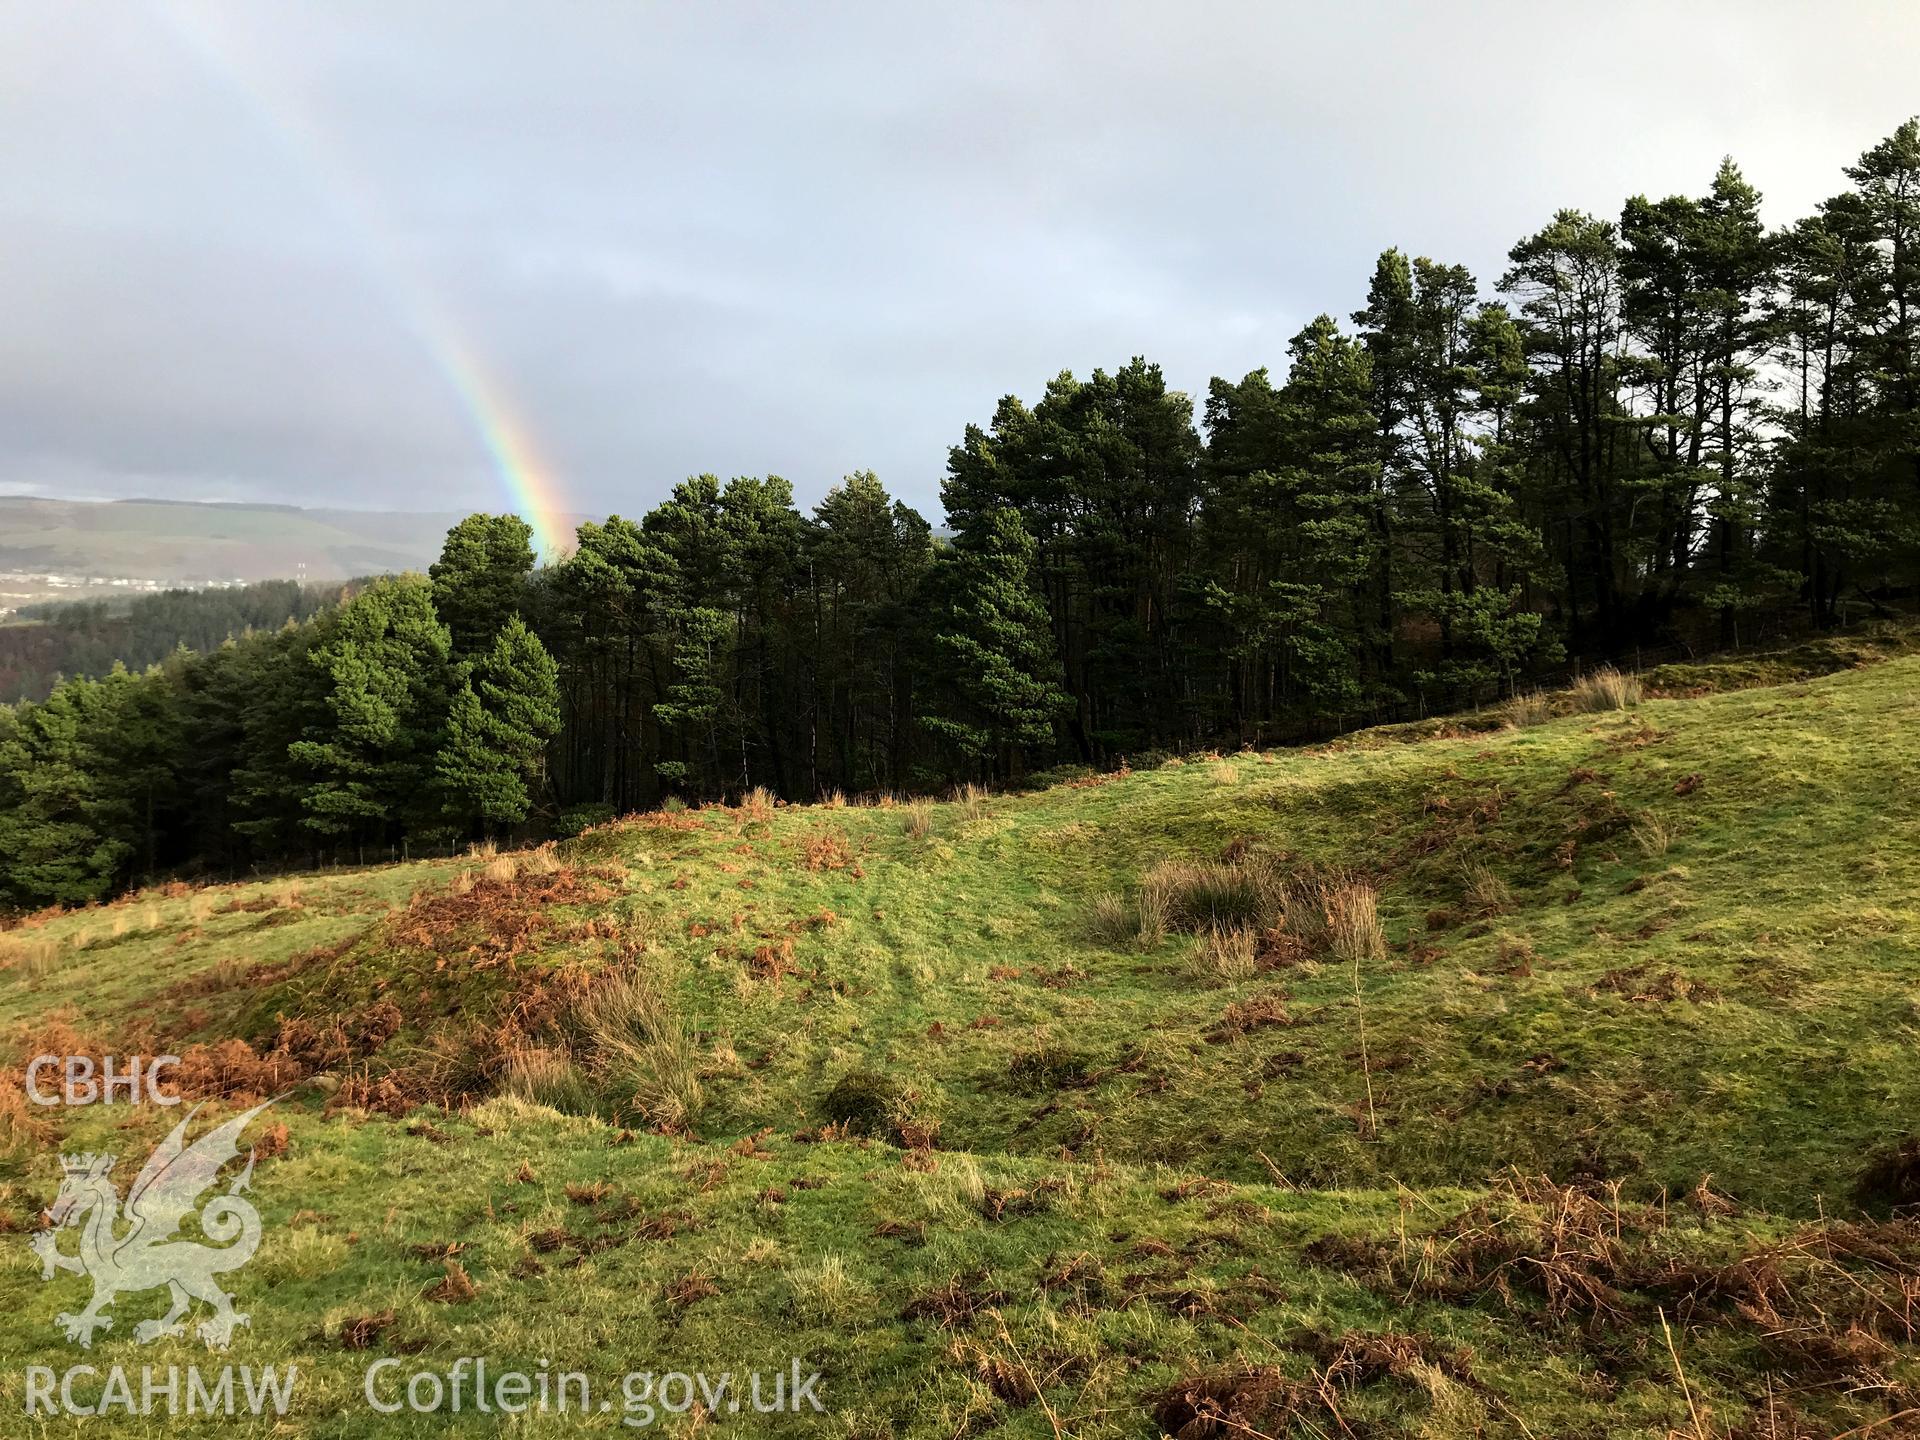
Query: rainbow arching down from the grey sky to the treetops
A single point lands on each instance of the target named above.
(483, 400)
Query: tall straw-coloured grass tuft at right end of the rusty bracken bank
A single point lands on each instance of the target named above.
(644, 1053)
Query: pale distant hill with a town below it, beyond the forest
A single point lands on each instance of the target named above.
(195, 544)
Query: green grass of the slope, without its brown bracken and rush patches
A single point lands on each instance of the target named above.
(1719, 978)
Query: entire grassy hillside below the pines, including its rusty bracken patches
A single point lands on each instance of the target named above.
(1099, 1111)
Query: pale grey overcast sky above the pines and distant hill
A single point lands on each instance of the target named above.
(239, 243)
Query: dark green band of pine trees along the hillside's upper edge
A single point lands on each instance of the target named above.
(1677, 425)
